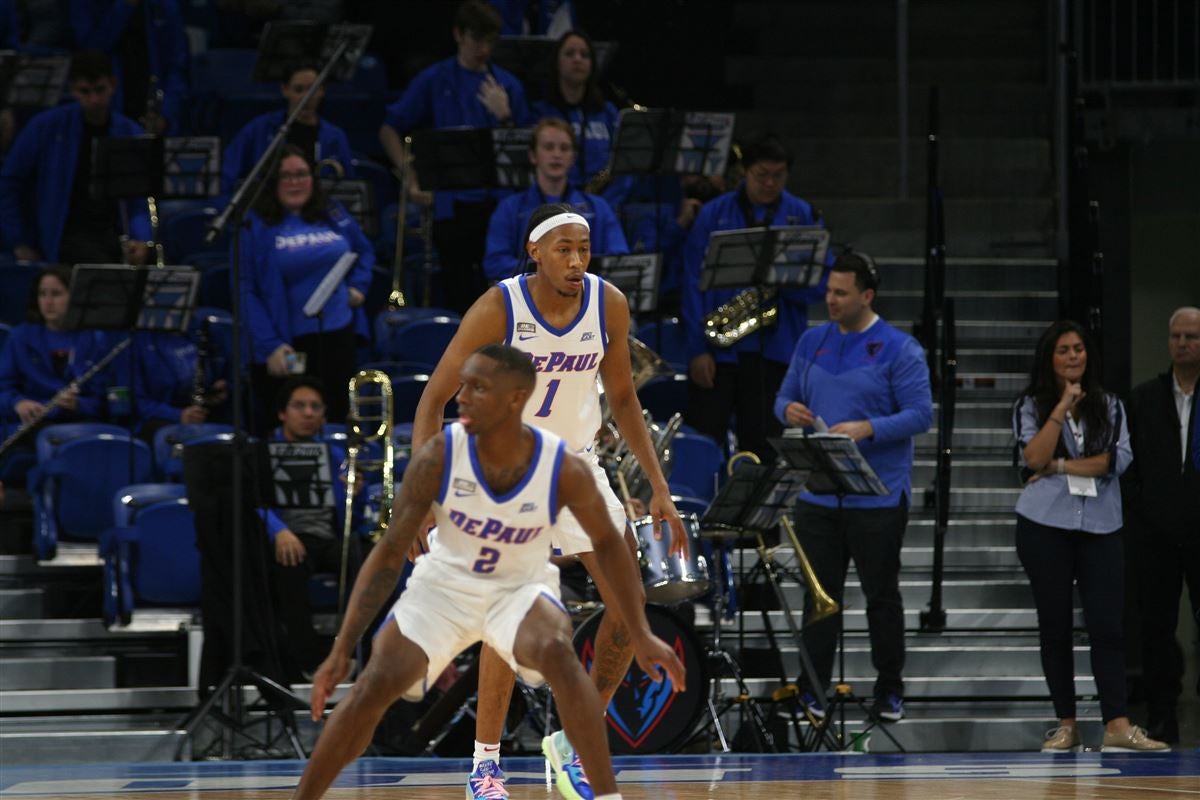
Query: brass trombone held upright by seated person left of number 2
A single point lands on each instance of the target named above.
(369, 422)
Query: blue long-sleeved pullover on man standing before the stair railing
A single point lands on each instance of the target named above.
(879, 376)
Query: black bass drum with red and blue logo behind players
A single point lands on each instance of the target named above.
(644, 717)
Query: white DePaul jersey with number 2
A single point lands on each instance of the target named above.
(507, 537)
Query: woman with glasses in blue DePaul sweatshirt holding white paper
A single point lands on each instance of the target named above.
(296, 238)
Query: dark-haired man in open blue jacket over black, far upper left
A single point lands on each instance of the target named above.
(46, 207)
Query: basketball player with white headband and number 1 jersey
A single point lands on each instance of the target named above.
(574, 327)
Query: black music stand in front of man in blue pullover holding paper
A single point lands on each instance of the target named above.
(836, 467)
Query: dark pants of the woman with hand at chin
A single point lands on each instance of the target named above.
(1057, 561)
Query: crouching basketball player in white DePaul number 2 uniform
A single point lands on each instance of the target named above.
(496, 488)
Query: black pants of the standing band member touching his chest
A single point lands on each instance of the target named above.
(461, 243)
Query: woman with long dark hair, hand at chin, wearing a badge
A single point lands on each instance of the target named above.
(1075, 446)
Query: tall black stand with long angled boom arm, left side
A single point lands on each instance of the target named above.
(343, 44)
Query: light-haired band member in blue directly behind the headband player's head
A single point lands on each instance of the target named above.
(553, 153)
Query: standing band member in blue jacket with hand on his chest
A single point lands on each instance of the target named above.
(463, 92)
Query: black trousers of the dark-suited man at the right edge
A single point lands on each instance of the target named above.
(1165, 563)
